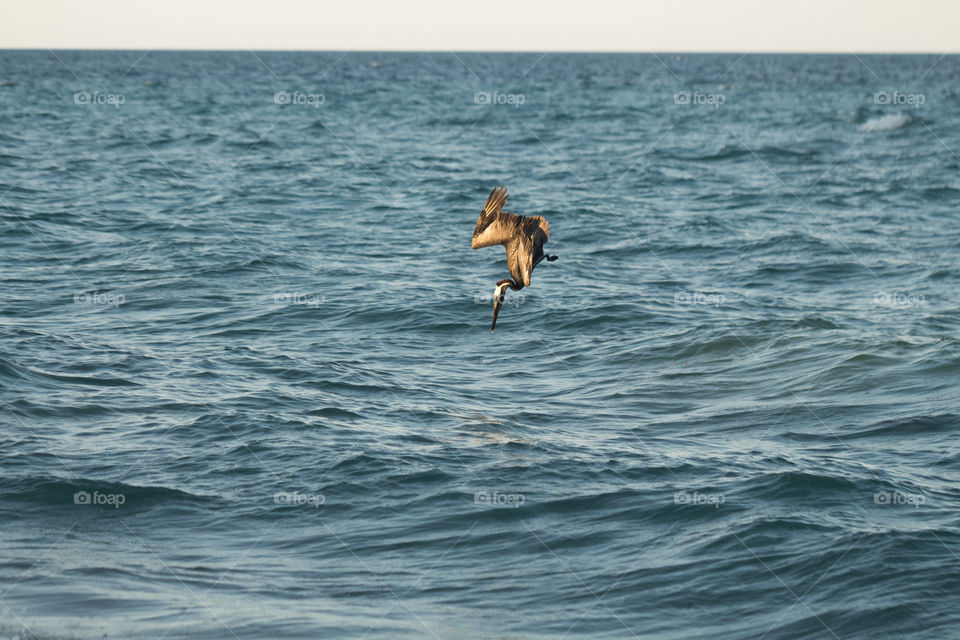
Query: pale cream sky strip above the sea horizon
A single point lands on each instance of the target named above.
(485, 25)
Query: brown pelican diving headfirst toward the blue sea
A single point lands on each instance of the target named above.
(522, 236)
